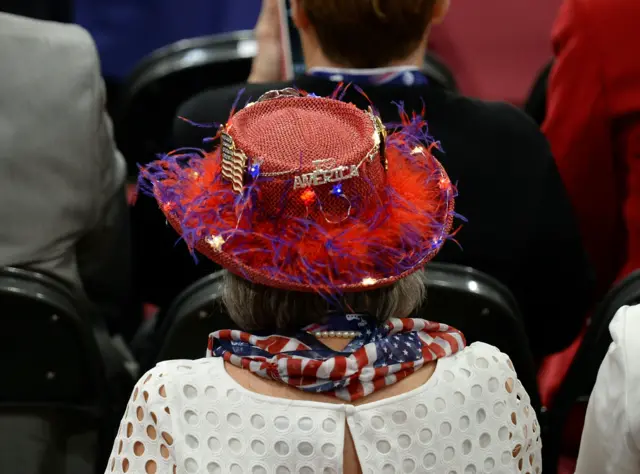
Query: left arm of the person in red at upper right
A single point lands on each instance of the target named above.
(578, 131)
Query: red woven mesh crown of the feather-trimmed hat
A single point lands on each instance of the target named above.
(293, 133)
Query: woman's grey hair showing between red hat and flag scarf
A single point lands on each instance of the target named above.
(257, 307)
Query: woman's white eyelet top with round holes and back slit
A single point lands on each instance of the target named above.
(472, 416)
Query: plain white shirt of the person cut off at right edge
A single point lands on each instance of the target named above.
(611, 435)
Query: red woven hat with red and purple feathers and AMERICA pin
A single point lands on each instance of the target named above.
(310, 194)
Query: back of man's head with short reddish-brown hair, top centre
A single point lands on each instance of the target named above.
(368, 33)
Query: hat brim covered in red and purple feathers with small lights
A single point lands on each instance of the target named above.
(405, 231)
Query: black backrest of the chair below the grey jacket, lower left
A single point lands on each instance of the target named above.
(55, 353)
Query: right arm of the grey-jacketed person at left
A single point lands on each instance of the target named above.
(103, 253)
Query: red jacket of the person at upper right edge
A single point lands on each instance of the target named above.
(593, 125)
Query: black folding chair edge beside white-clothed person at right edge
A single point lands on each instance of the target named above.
(581, 376)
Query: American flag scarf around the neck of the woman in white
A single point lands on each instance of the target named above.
(379, 356)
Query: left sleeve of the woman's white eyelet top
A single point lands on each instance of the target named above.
(145, 444)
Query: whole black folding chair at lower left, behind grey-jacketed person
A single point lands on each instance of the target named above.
(54, 369)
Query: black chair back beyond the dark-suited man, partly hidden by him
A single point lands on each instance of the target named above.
(173, 74)
